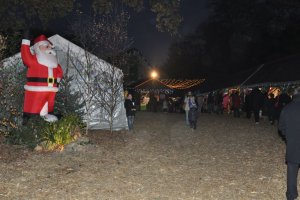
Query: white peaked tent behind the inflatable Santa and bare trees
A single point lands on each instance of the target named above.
(79, 58)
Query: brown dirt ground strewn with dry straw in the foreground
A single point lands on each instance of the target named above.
(162, 159)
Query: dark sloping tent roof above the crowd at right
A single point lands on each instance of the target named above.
(282, 70)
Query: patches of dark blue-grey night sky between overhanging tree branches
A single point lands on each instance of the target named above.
(153, 44)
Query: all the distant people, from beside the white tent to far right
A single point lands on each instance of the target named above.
(249, 102)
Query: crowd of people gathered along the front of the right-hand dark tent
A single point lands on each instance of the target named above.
(251, 102)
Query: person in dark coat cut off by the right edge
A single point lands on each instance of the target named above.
(289, 125)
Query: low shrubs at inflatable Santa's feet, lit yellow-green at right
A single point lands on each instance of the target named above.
(50, 136)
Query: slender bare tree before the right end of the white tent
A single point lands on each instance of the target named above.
(112, 34)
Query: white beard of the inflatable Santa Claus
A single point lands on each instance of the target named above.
(47, 58)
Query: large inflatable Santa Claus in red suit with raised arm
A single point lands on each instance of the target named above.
(43, 75)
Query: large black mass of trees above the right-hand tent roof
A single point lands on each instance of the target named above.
(239, 35)
